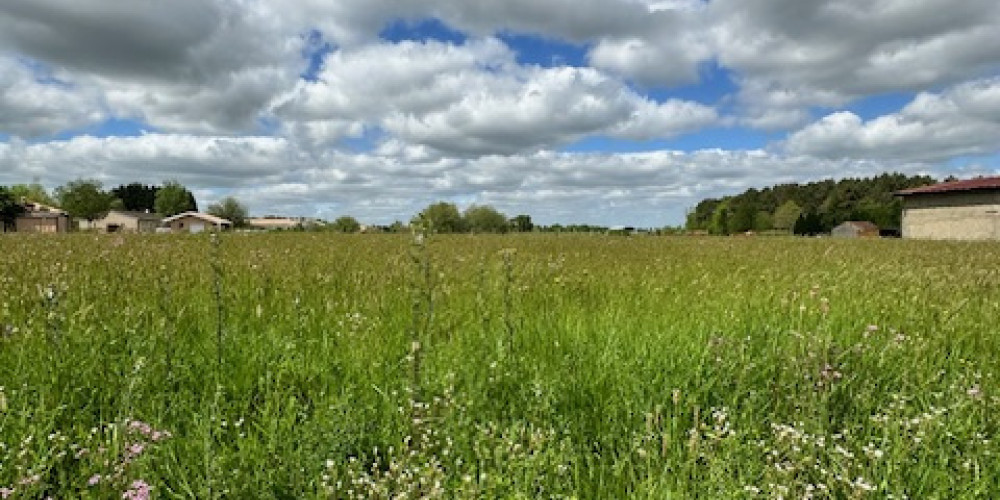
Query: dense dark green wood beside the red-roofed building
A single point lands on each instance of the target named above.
(812, 208)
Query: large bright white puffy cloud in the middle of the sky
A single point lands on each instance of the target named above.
(474, 99)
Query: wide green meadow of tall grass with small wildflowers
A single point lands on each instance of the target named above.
(535, 366)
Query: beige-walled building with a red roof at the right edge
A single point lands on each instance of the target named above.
(959, 210)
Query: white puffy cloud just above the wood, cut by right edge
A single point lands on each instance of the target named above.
(964, 120)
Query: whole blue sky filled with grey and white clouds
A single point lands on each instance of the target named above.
(611, 112)
